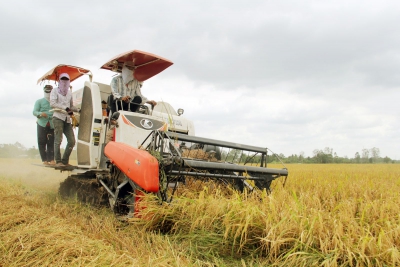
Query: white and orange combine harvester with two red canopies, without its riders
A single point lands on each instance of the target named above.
(152, 150)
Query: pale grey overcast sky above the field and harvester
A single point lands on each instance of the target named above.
(293, 76)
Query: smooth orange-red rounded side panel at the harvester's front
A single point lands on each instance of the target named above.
(138, 165)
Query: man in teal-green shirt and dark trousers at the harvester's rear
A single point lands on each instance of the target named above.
(45, 128)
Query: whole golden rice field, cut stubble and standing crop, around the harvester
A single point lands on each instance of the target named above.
(326, 215)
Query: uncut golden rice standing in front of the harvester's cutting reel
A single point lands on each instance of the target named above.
(328, 215)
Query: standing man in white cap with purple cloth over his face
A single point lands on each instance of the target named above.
(61, 102)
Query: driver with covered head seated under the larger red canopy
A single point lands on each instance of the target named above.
(126, 90)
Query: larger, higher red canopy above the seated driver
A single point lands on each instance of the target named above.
(146, 65)
